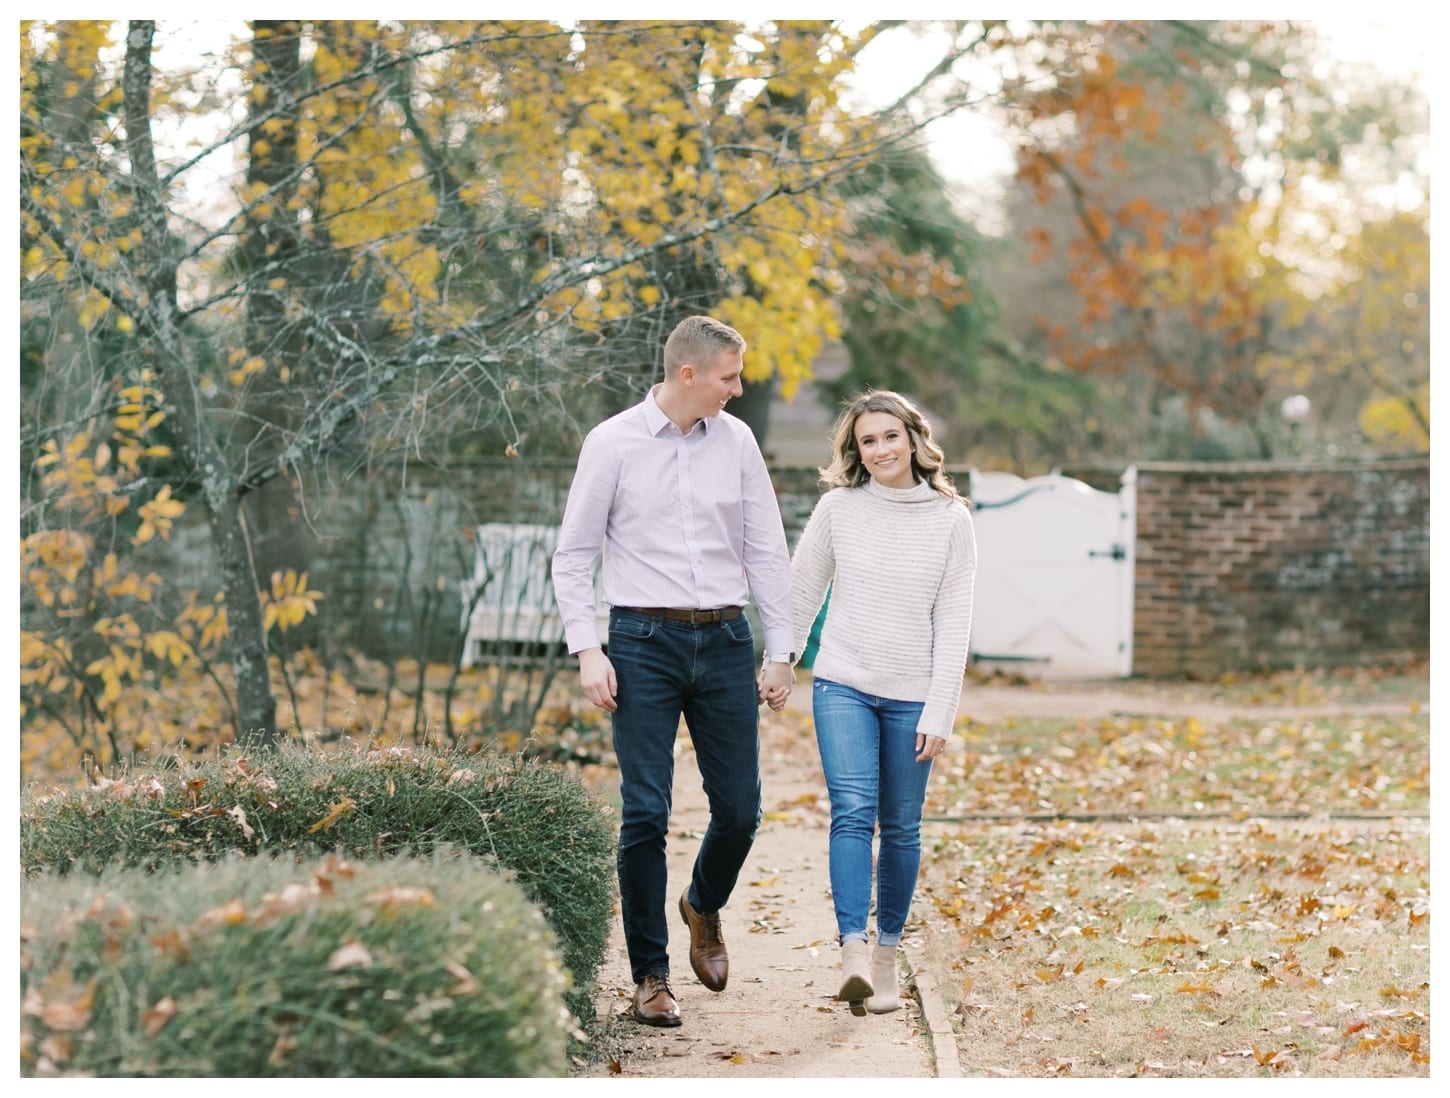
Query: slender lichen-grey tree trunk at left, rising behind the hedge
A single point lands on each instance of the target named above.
(256, 704)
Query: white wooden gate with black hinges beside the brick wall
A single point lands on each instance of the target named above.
(1055, 575)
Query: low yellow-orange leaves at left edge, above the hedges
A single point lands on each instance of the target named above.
(105, 672)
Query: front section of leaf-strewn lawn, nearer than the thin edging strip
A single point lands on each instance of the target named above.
(1182, 949)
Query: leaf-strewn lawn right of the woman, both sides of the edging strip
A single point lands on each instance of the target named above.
(1236, 897)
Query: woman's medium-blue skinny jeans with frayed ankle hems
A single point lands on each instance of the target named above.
(869, 755)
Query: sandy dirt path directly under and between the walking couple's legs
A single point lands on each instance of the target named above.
(778, 1016)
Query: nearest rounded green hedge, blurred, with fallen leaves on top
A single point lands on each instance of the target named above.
(276, 968)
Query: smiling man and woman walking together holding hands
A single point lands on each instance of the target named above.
(675, 495)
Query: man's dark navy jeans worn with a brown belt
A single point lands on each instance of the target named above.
(666, 669)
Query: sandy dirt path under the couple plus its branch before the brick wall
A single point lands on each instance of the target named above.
(778, 1017)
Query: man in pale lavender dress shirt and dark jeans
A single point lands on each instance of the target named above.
(675, 494)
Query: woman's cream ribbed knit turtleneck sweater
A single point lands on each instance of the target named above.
(900, 565)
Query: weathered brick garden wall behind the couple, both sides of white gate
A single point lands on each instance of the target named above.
(1239, 566)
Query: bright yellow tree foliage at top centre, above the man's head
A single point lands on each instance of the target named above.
(623, 136)
